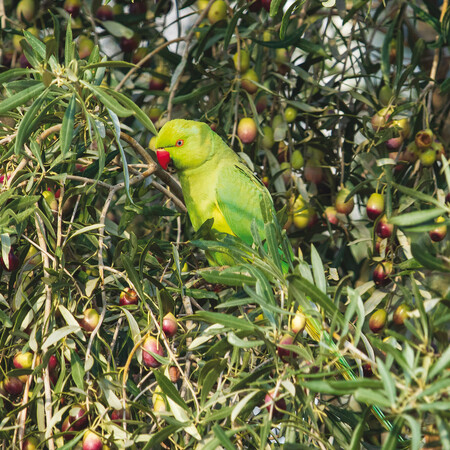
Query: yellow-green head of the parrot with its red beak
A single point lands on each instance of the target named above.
(185, 142)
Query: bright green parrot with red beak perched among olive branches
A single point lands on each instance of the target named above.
(215, 183)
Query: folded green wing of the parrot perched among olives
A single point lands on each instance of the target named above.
(239, 194)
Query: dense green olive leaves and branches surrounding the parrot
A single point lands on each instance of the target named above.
(77, 117)
